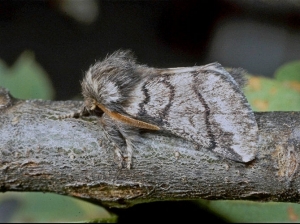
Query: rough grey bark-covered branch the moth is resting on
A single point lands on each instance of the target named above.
(39, 152)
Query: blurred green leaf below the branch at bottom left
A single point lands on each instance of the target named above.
(47, 207)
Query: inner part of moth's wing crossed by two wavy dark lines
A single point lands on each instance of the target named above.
(169, 102)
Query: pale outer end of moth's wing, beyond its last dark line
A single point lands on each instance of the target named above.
(231, 119)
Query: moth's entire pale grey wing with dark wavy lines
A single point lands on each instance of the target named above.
(202, 104)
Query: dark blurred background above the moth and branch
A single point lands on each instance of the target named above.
(256, 35)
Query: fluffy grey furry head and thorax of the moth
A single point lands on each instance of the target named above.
(109, 82)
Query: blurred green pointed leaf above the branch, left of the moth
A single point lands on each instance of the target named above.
(26, 79)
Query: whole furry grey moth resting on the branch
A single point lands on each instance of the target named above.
(202, 104)
